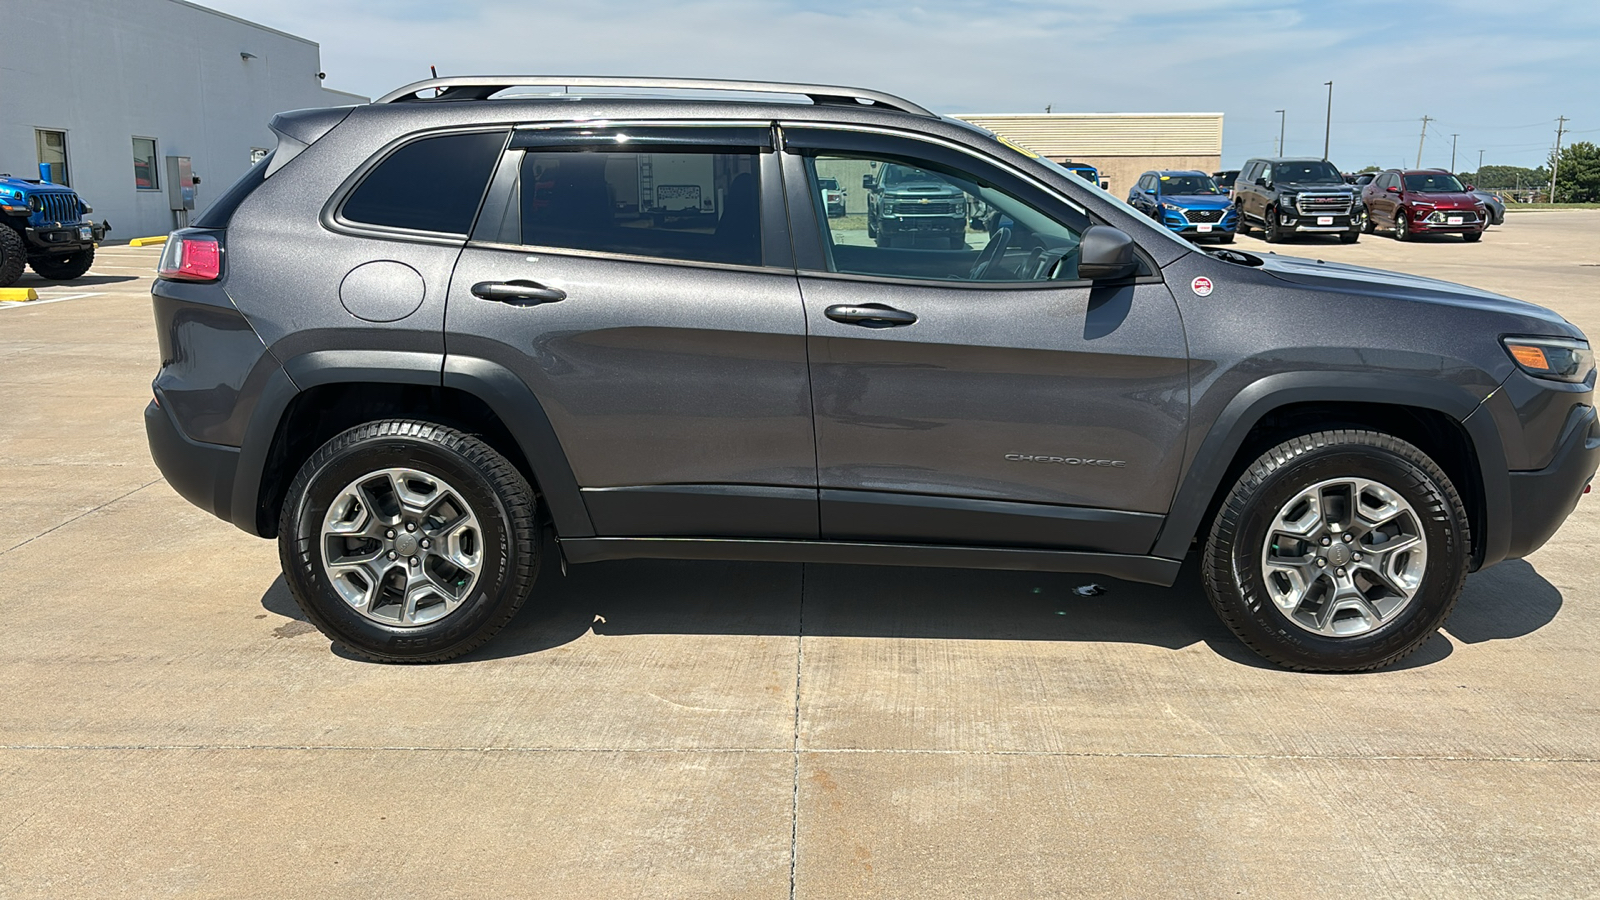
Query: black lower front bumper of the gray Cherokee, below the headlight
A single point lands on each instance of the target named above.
(1543, 499)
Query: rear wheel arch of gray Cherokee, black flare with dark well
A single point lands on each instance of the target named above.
(322, 393)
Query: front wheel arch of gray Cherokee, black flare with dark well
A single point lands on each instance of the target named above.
(1433, 416)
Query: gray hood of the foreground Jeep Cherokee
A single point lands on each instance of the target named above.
(1378, 283)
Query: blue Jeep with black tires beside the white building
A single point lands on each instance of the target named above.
(46, 227)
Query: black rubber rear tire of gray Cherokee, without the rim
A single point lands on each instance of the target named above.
(487, 484)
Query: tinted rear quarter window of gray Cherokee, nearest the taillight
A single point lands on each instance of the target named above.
(430, 185)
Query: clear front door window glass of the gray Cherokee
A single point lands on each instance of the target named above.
(935, 223)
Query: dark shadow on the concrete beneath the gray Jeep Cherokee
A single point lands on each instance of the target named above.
(866, 601)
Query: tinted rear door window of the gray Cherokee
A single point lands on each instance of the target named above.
(695, 207)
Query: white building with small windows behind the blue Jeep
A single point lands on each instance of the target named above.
(105, 90)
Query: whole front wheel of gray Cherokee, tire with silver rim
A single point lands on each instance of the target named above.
(1234, 563)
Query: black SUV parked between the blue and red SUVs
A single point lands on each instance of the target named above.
(1297, 196)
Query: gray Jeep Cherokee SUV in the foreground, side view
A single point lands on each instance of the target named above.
(428, 334)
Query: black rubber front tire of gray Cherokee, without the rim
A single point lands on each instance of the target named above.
(1231, 566)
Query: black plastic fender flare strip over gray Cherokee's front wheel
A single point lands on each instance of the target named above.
(1204, 478)
